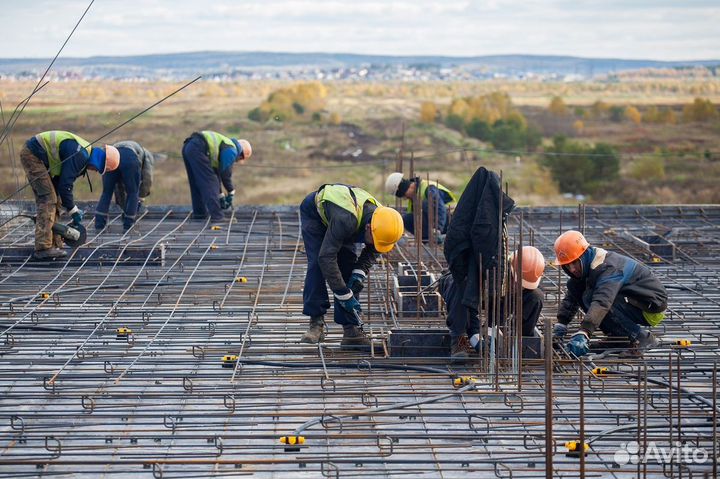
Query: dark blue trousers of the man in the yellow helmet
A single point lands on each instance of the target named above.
(315, 292)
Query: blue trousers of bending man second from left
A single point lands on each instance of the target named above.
(129, 173)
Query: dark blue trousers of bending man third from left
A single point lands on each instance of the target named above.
(204, 182)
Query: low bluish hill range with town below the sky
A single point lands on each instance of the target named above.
(247, 64)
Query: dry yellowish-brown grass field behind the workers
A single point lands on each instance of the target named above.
(293, 158)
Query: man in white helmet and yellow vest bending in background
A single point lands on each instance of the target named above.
(442, 198)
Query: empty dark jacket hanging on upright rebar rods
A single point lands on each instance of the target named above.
(474, 231)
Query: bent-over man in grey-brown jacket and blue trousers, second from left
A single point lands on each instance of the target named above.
(126, 182)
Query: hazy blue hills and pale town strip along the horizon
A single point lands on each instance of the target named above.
(219, 66)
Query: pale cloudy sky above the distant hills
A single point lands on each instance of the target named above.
(660, 29)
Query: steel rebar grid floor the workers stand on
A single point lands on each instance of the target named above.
(173, 351)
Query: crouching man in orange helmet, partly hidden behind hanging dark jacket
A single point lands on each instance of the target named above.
(464, 323)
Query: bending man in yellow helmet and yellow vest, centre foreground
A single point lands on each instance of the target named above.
(335, 218)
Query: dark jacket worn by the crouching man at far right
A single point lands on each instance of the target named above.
(611, 275)
